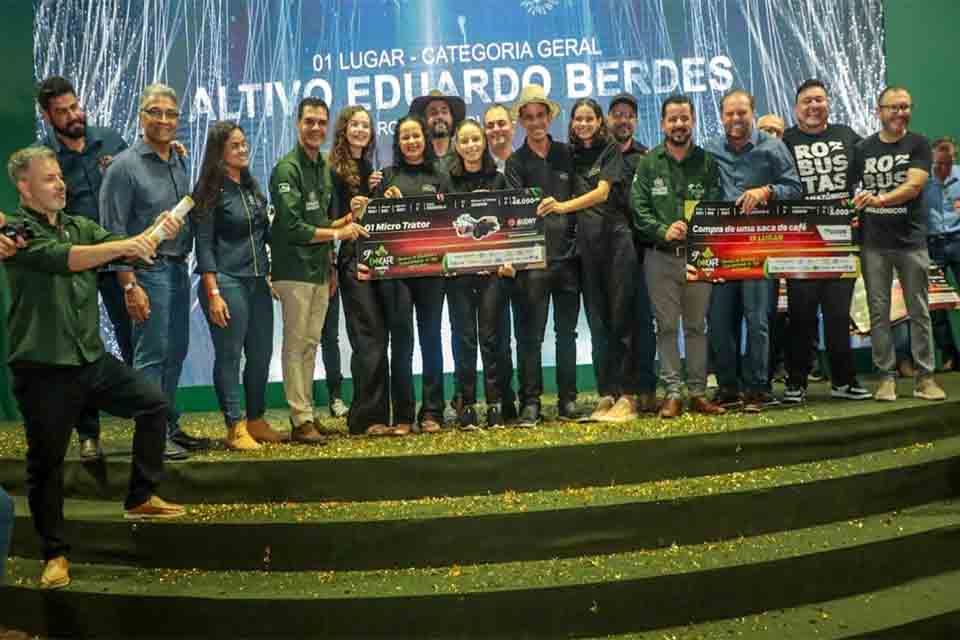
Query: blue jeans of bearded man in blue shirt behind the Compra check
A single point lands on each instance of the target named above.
(731, 301)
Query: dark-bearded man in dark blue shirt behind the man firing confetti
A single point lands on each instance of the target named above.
(84, 153)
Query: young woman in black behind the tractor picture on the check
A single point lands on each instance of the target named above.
(476, 301)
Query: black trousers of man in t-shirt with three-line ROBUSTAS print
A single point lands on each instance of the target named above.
(833, 296)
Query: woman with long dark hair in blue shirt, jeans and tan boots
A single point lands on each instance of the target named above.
(231, 250)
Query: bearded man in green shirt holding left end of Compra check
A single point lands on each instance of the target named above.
(675, 171)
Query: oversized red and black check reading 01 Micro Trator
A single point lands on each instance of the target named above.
(453, 233)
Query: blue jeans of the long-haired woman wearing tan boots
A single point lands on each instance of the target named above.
(249, 332)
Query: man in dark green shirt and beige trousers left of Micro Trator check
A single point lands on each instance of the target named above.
(300, 240)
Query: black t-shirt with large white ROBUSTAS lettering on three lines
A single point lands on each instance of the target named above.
(824, 160)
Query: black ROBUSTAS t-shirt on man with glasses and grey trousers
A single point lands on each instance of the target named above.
(882, 167)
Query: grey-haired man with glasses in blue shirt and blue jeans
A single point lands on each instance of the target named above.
(142, 181)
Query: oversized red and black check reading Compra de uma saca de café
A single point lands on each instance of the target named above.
(803, 239)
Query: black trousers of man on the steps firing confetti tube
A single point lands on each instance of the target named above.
(51, 400)
